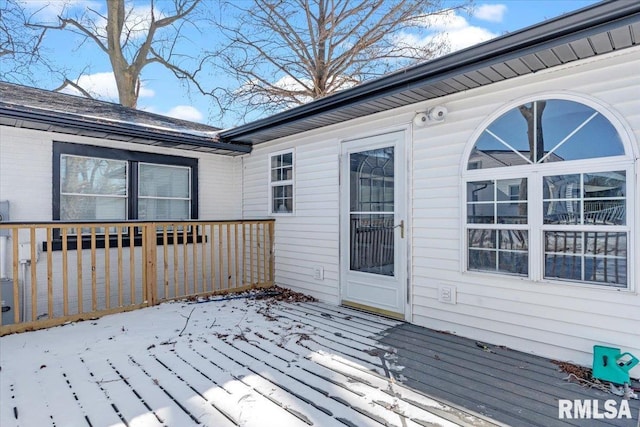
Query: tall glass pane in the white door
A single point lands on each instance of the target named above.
(371, 191)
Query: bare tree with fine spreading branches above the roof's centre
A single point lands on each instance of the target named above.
(284, 53)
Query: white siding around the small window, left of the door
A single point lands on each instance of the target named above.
(309, 237)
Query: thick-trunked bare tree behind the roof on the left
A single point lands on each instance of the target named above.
(132, 41)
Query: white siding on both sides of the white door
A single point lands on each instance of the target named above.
(561, 321)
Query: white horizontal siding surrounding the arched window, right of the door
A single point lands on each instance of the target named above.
(556, 320)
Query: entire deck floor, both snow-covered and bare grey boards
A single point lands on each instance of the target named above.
(260, 362)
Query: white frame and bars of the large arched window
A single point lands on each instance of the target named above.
(534, 173)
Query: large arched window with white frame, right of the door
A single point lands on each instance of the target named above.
(548, 196)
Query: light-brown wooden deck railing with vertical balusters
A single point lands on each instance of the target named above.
(61, 272)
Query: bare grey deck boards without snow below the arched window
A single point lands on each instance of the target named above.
(512, 387)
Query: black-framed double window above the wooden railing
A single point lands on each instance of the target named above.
(104, 184)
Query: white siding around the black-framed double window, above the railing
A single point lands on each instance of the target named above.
(26, 174)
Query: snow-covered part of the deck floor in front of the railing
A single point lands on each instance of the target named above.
(235, 362)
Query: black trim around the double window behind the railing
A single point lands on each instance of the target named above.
(133, 159)
